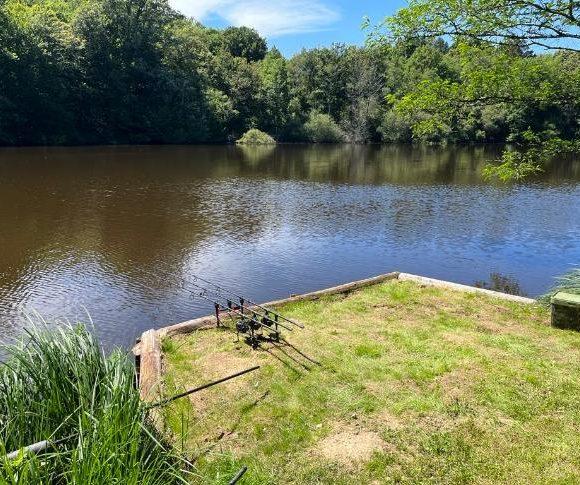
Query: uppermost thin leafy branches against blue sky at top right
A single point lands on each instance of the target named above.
(550, 24)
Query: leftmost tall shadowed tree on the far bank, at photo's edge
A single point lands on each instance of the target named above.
(39, 75)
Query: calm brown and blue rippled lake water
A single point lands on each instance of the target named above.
(112, 231)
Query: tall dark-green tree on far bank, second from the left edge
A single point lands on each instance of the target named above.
(123, 68)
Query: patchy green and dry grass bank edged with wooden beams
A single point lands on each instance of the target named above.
(415, 385)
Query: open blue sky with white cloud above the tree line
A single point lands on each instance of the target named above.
(291, 25)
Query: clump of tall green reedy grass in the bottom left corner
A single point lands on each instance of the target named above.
(60, 385)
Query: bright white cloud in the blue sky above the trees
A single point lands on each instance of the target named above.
(272, 18)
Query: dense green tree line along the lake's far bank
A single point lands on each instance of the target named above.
(136, 71)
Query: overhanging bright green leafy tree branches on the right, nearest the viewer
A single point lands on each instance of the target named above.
(496, 76)
